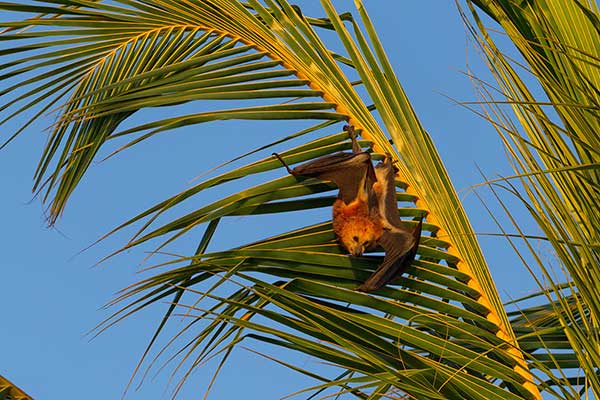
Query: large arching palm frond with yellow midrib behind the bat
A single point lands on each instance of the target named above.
(440, 331)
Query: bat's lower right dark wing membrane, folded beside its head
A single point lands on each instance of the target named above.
(400, 249)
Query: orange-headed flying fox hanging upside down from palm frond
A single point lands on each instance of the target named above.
(365, 214)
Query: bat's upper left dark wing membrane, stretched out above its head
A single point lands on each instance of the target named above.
(350, 172)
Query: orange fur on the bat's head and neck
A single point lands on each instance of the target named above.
(356, 228)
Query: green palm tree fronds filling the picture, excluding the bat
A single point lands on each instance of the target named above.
(441, 330)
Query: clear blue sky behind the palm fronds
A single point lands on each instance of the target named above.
(52, 294)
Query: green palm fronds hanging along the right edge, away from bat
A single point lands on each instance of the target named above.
(559, 42)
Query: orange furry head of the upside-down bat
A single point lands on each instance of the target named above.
(358, 234)
